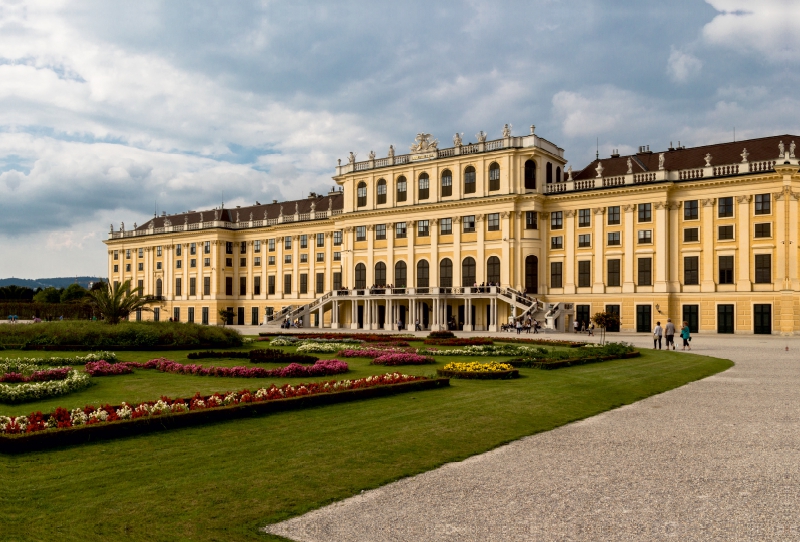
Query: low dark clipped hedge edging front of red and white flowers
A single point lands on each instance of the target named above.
(26, 442)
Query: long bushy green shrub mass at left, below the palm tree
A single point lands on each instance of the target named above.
(126, 335)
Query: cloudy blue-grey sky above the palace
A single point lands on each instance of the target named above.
(111, 110)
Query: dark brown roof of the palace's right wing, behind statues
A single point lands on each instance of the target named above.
(765, 148)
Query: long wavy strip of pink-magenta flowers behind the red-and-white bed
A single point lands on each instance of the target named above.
(322, 367)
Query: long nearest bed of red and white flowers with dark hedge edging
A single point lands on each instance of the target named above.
(61, 427)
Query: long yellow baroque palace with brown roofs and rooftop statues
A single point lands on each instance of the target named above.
(474, 235)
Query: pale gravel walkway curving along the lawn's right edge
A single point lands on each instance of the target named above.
(717, 459)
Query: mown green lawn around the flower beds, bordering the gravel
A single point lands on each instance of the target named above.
(224, 481)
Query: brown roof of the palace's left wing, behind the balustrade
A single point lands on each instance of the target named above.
(331, 202)
